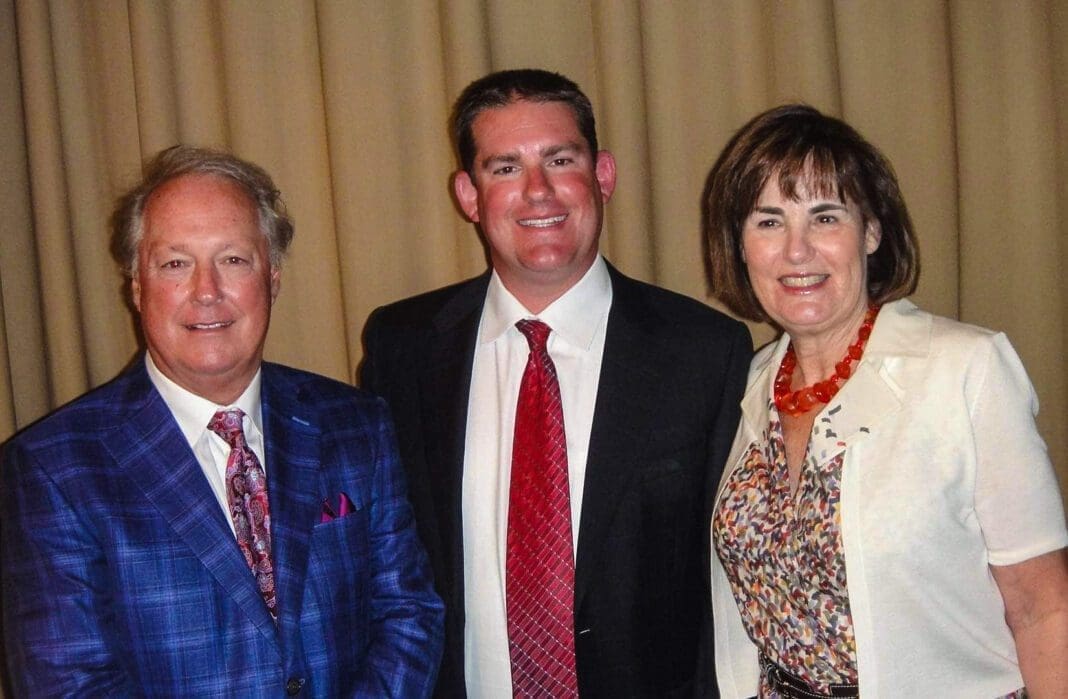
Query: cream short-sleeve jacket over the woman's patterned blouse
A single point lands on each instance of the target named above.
(945, 474)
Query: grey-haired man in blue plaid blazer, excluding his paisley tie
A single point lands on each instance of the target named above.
(121, 571)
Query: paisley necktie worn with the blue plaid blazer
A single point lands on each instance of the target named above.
(247, 500)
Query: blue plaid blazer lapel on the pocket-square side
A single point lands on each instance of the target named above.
(293, 448)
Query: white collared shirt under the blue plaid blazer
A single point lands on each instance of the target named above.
(194, 413)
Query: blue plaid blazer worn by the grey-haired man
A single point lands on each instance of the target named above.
(121, 576)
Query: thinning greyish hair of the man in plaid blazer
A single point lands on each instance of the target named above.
(128, 222)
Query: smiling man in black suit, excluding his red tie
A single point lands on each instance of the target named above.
(650, 385)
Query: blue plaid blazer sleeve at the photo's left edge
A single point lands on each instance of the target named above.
(57, 600)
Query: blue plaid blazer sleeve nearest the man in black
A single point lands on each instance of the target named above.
(407, 616)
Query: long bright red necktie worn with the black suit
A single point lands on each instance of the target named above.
(540, 585)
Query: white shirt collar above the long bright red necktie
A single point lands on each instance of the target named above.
(574, 317)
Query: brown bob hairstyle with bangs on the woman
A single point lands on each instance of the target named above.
(798, 145)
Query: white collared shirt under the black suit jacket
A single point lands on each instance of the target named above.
(578, 320)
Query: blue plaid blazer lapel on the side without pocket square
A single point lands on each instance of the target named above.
(151, 449)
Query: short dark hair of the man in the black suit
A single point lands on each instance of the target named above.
(506, 87)
